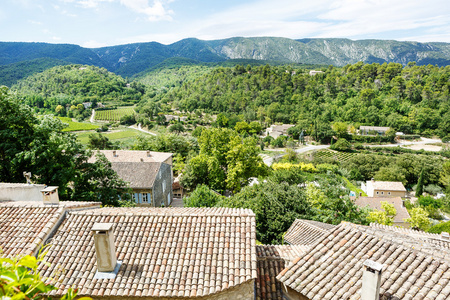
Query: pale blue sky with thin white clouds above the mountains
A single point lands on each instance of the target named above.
(99, 23)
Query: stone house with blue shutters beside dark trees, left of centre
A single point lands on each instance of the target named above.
(148, 174)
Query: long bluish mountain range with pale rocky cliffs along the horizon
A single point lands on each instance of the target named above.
(131, 59)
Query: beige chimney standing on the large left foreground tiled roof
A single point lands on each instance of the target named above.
(105, 249)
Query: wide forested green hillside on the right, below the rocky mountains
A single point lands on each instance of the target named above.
(411, 99)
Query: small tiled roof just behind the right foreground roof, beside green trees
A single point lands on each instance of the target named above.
(306, 232)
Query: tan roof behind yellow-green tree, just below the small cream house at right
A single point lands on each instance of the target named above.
(375, 203)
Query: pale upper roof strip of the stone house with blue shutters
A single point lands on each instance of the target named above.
(132, 156)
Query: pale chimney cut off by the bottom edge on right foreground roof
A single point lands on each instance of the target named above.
(370, 289)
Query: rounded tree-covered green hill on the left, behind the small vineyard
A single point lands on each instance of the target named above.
(75, 84)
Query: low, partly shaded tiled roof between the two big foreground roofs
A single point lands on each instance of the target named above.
(272, 259)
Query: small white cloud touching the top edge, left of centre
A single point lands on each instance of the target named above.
(155, 12)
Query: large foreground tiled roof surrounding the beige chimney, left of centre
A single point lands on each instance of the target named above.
(165, 252)
